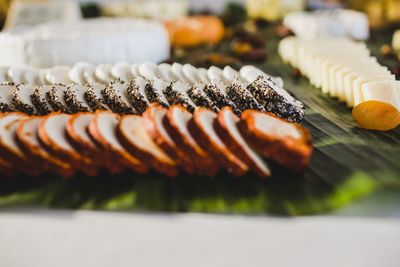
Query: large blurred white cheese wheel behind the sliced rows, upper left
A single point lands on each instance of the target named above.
(94, 40)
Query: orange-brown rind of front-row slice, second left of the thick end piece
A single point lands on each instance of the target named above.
(223, 155)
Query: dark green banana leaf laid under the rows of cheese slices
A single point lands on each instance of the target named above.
(347, 163)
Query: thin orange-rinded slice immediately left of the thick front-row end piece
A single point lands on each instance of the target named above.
(227, 129)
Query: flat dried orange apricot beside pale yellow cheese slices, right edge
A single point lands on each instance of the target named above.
(376, 115)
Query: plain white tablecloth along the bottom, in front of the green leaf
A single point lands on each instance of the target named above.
(85, 238)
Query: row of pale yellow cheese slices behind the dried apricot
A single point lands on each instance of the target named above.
(339, 66)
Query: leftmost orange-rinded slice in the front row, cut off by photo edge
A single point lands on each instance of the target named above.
(10, 151)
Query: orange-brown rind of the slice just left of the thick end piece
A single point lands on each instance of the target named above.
(223, 132)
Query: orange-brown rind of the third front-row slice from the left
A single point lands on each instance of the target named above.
(73, 158)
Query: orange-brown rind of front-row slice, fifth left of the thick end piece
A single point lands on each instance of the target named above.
(163, 165)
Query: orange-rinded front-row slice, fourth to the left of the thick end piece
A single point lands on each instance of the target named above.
(153, 123)
